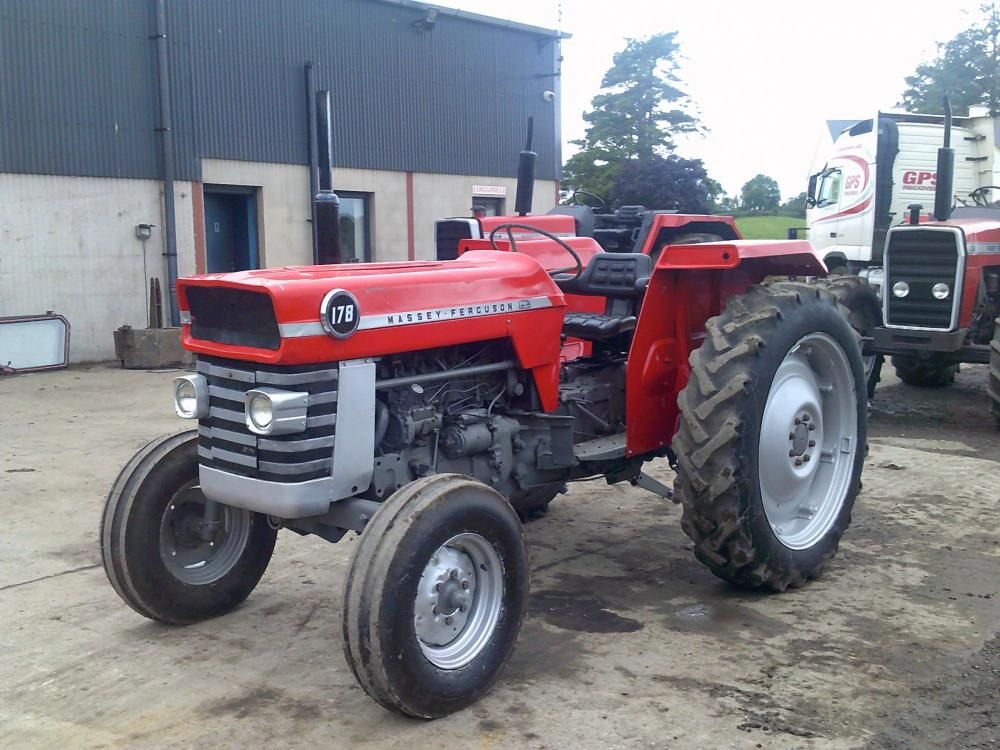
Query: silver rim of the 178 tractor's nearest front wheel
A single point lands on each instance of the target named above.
(458, 603)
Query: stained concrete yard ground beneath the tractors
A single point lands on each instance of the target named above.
(630, 642)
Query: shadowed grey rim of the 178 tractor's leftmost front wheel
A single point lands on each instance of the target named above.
(190, 558)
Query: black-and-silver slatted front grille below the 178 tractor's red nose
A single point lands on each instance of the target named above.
(225, 443)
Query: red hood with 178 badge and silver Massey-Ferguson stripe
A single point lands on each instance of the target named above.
(310, 314)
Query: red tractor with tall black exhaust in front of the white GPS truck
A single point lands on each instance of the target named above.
(941, 286)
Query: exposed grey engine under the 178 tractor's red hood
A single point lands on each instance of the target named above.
(451, 410)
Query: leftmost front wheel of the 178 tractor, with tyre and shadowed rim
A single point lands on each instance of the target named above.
(156, 549)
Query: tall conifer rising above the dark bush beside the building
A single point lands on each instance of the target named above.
(640, 109)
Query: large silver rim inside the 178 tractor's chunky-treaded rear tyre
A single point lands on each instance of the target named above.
(808, 441)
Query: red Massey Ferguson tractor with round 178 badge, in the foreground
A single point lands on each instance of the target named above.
(424, 405)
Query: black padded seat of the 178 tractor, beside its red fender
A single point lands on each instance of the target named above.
(622, 278)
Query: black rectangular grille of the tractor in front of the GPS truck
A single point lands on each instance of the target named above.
(922, 258)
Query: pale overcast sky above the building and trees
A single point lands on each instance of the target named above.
(765, 74)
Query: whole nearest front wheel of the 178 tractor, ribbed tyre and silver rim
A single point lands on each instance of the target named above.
(435, 596)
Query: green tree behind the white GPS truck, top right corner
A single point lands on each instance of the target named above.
(967, 69)
